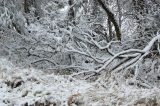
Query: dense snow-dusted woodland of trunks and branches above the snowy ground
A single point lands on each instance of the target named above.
(107, 42)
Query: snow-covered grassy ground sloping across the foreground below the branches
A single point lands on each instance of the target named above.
(19, 87)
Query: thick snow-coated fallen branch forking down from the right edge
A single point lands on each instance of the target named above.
(132, 57)
